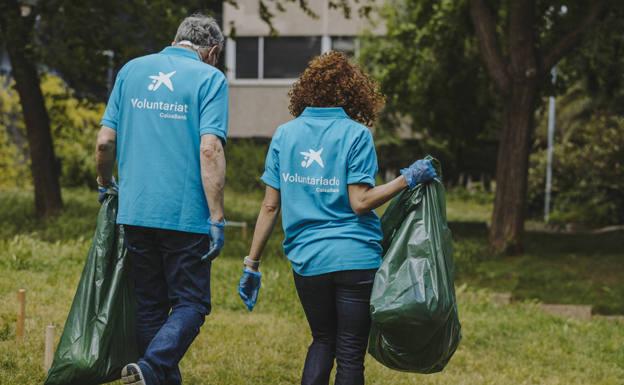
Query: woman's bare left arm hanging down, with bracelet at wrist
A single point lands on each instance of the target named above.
(265, 223)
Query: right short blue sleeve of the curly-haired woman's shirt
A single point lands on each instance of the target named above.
(362, 160)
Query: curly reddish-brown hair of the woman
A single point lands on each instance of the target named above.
(331, 80)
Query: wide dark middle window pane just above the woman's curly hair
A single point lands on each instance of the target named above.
(287, 57)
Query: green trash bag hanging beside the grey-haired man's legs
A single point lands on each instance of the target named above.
(99, 334)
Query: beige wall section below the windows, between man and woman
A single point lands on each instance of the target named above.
(257, 110)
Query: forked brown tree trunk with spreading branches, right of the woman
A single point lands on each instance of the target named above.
(516, 78)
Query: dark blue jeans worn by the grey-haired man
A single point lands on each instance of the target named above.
(172, 288)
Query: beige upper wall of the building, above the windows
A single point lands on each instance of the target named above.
(294, 22)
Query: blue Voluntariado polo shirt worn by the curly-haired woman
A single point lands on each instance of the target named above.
(312, 160)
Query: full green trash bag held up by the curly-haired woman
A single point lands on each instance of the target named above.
(415, 324)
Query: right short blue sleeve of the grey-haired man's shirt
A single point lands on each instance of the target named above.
(213, 108)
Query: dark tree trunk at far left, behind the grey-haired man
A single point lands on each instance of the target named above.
(17, 31)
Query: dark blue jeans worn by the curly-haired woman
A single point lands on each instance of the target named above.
(337, 308)
